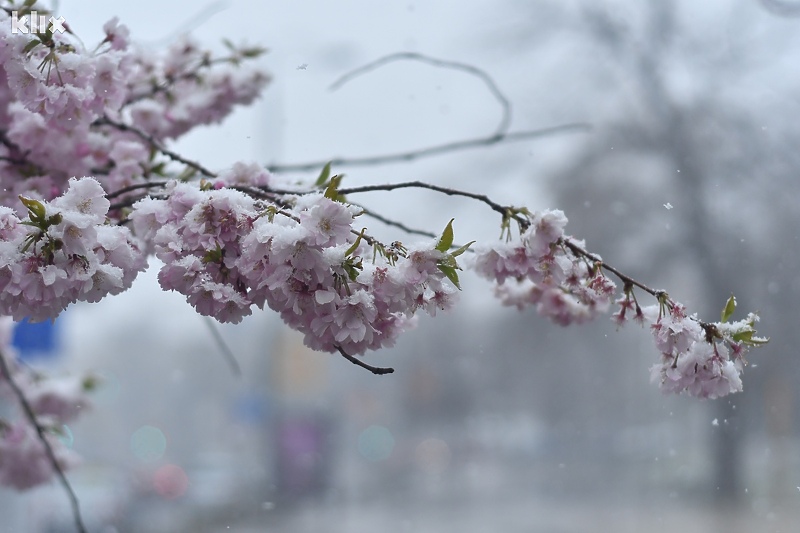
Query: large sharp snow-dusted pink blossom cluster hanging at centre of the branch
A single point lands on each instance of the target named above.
(226, 252)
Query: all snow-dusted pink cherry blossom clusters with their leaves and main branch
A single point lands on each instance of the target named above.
(233, 241)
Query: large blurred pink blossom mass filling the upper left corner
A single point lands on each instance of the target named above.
(68, 111)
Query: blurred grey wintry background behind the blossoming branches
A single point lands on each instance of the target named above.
(494, 420)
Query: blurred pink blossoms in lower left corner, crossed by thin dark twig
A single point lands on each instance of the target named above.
(54, 402)
